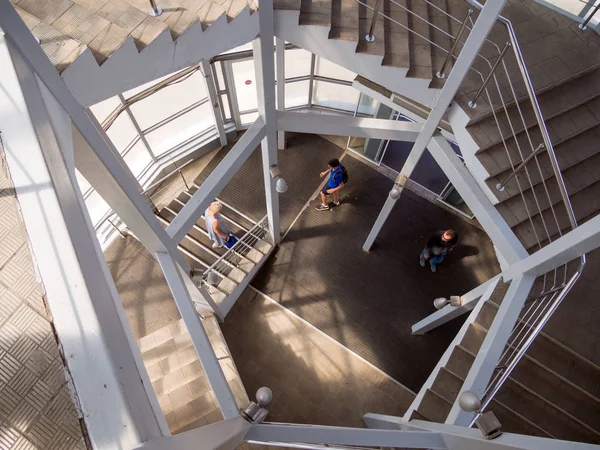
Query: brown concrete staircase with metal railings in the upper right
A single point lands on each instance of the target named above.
(563, 63)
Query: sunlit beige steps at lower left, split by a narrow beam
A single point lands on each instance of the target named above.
(183, 391)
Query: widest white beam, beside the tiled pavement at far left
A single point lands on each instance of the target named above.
(112, 386)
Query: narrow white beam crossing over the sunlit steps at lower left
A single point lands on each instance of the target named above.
(206, 354)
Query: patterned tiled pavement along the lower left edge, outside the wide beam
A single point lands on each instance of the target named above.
(36, 411)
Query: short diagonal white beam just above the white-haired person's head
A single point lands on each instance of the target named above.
(216, 181)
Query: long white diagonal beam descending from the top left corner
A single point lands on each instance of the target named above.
(95, 160)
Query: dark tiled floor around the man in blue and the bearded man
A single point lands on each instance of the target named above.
(368, 302)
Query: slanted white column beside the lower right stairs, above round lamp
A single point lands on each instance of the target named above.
(493, 346)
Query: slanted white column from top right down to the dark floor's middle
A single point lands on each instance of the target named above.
(486, 20)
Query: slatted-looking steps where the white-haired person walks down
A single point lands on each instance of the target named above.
(237, 269)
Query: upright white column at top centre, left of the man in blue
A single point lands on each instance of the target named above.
(264, 67)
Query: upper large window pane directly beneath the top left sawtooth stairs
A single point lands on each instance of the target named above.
(169, 100)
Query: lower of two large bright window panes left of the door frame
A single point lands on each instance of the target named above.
(181, 129)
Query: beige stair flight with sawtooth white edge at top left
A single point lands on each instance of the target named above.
(115, 45)
